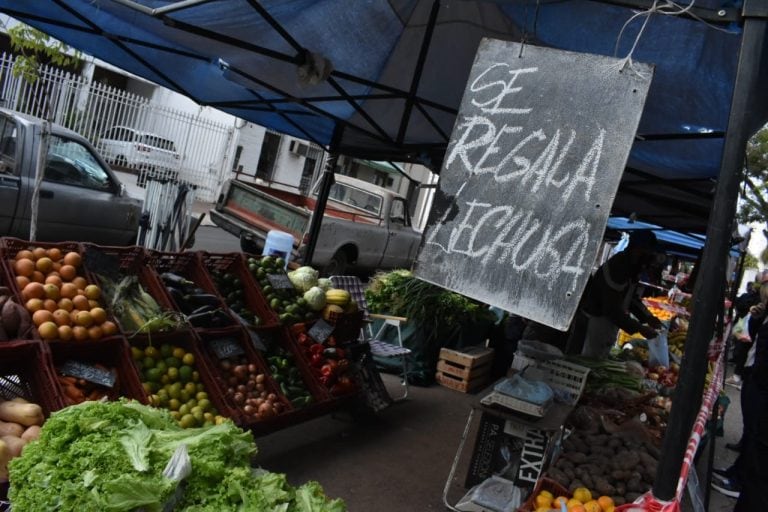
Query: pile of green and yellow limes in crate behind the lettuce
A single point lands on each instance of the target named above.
(171, 381)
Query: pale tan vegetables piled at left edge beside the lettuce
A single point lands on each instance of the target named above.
(20, 423)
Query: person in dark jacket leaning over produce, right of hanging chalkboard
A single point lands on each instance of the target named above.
(609, 300)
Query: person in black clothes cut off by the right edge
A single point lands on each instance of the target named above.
(754, 454)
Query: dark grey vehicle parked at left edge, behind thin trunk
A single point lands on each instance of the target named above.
(80, 197)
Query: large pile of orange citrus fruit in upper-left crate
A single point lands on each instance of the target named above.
(62, 303)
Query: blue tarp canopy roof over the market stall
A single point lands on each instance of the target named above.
(399, 68)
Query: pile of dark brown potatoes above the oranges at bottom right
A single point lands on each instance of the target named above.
(606, 464)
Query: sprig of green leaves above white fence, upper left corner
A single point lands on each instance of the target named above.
(33, 45)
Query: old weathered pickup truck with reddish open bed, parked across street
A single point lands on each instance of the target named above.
(365, 227)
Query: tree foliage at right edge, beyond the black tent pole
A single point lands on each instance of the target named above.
(753, 204)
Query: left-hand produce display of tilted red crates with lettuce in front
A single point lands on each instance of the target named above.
(199, 338)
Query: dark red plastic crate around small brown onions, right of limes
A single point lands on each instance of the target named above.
(252, 356)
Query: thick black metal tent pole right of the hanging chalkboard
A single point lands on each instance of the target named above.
(708, 299)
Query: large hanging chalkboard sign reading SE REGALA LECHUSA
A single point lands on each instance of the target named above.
(537, 152)
